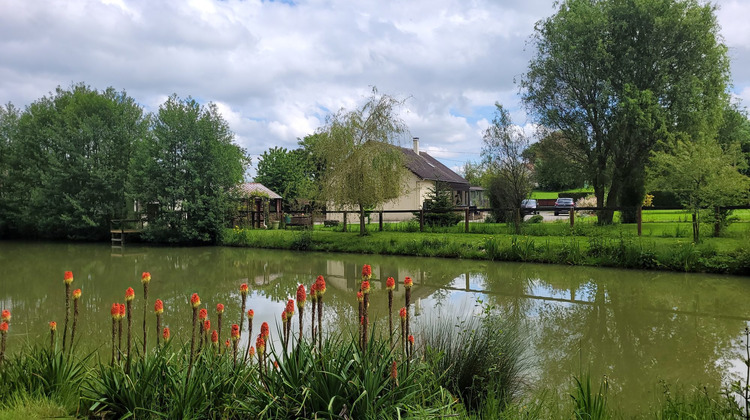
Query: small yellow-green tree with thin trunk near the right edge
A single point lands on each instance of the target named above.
(702, 174)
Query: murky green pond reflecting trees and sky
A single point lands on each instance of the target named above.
(637, 327)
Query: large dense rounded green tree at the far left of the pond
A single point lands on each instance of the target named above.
(68, 163)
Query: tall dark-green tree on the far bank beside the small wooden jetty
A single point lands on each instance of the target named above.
(188, 166)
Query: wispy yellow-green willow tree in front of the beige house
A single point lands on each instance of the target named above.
(364, 167)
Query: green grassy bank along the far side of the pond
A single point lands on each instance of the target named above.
(556, 243)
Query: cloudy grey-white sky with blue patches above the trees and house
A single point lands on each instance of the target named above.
(275, 69)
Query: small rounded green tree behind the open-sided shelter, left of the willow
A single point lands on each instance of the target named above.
(288, 172)
